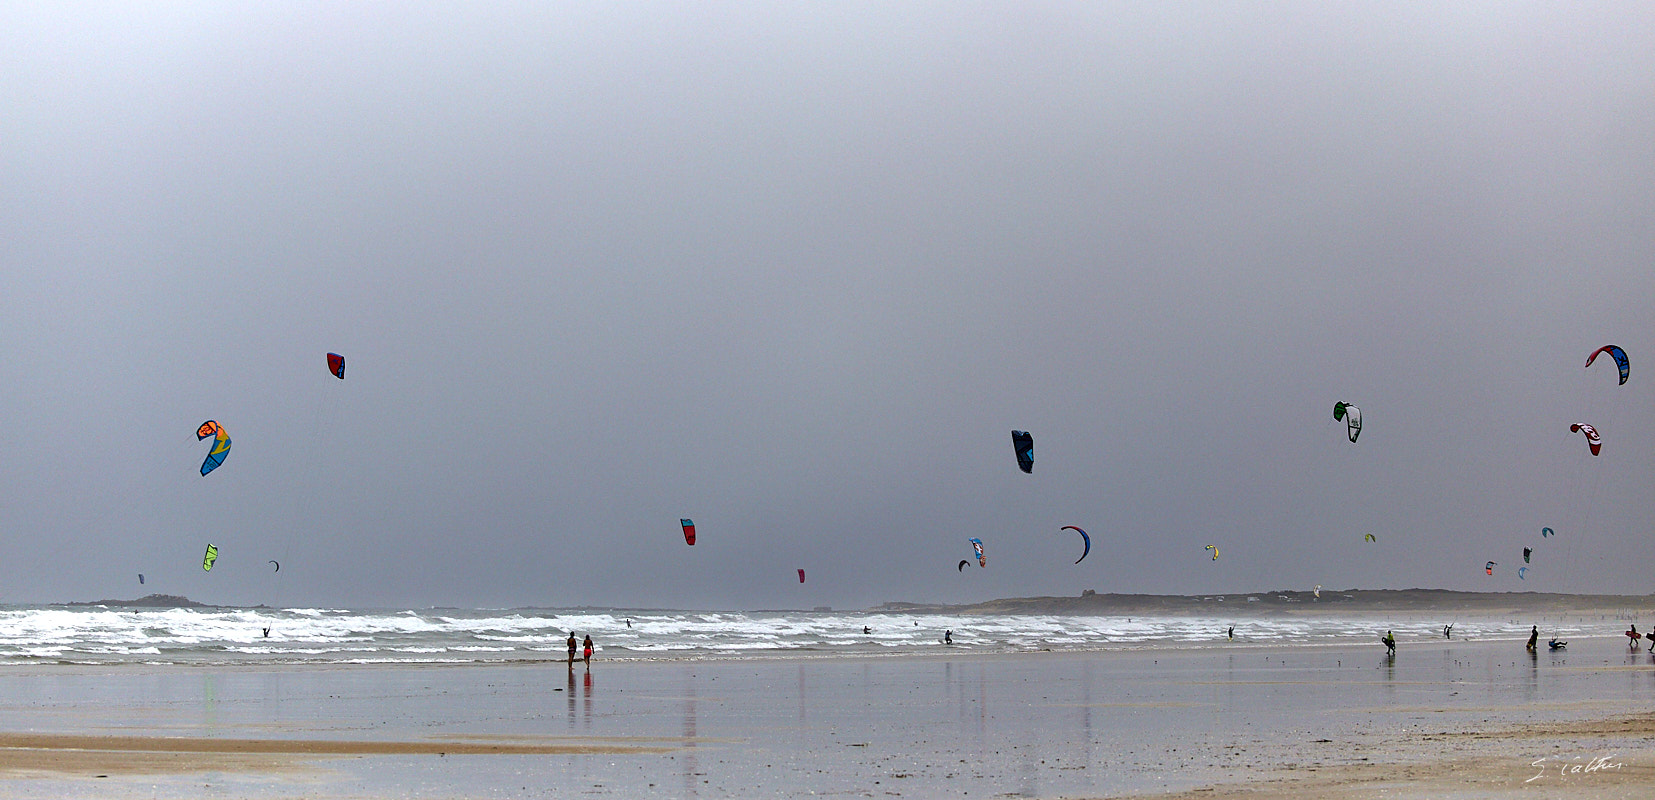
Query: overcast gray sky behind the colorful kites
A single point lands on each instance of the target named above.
(797, 271)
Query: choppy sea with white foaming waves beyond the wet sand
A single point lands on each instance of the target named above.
(223, 637)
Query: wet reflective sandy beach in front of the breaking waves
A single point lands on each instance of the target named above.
(1442, 720)
